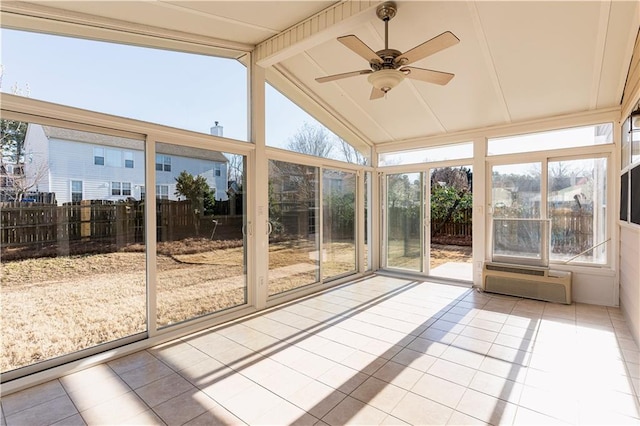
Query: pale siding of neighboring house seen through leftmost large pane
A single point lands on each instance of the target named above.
(69, 160)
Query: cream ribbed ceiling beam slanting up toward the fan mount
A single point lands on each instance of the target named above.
(323, 26)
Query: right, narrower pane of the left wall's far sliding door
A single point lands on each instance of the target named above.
(339, 232)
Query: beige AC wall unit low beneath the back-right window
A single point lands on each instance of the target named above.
(527, 281)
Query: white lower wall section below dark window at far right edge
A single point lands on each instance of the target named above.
(630, 277)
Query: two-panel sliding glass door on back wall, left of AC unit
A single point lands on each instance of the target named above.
(427, 220)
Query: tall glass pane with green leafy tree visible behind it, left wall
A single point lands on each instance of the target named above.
(200, 256)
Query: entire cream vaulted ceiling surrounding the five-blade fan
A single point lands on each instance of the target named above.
(516, 61)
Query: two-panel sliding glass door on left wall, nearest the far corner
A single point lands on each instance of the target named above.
(312, 225)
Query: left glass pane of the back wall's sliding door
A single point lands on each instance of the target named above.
(404, 221)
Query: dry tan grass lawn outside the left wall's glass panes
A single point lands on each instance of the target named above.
(53, 306)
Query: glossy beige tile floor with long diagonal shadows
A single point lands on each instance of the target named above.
(380, 351)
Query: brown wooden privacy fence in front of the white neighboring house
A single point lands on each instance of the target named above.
(91, 221)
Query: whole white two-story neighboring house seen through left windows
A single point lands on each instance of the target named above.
(90, 166)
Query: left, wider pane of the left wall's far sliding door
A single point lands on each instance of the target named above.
(294, 221)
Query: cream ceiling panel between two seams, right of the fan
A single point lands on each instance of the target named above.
(542, 51)
